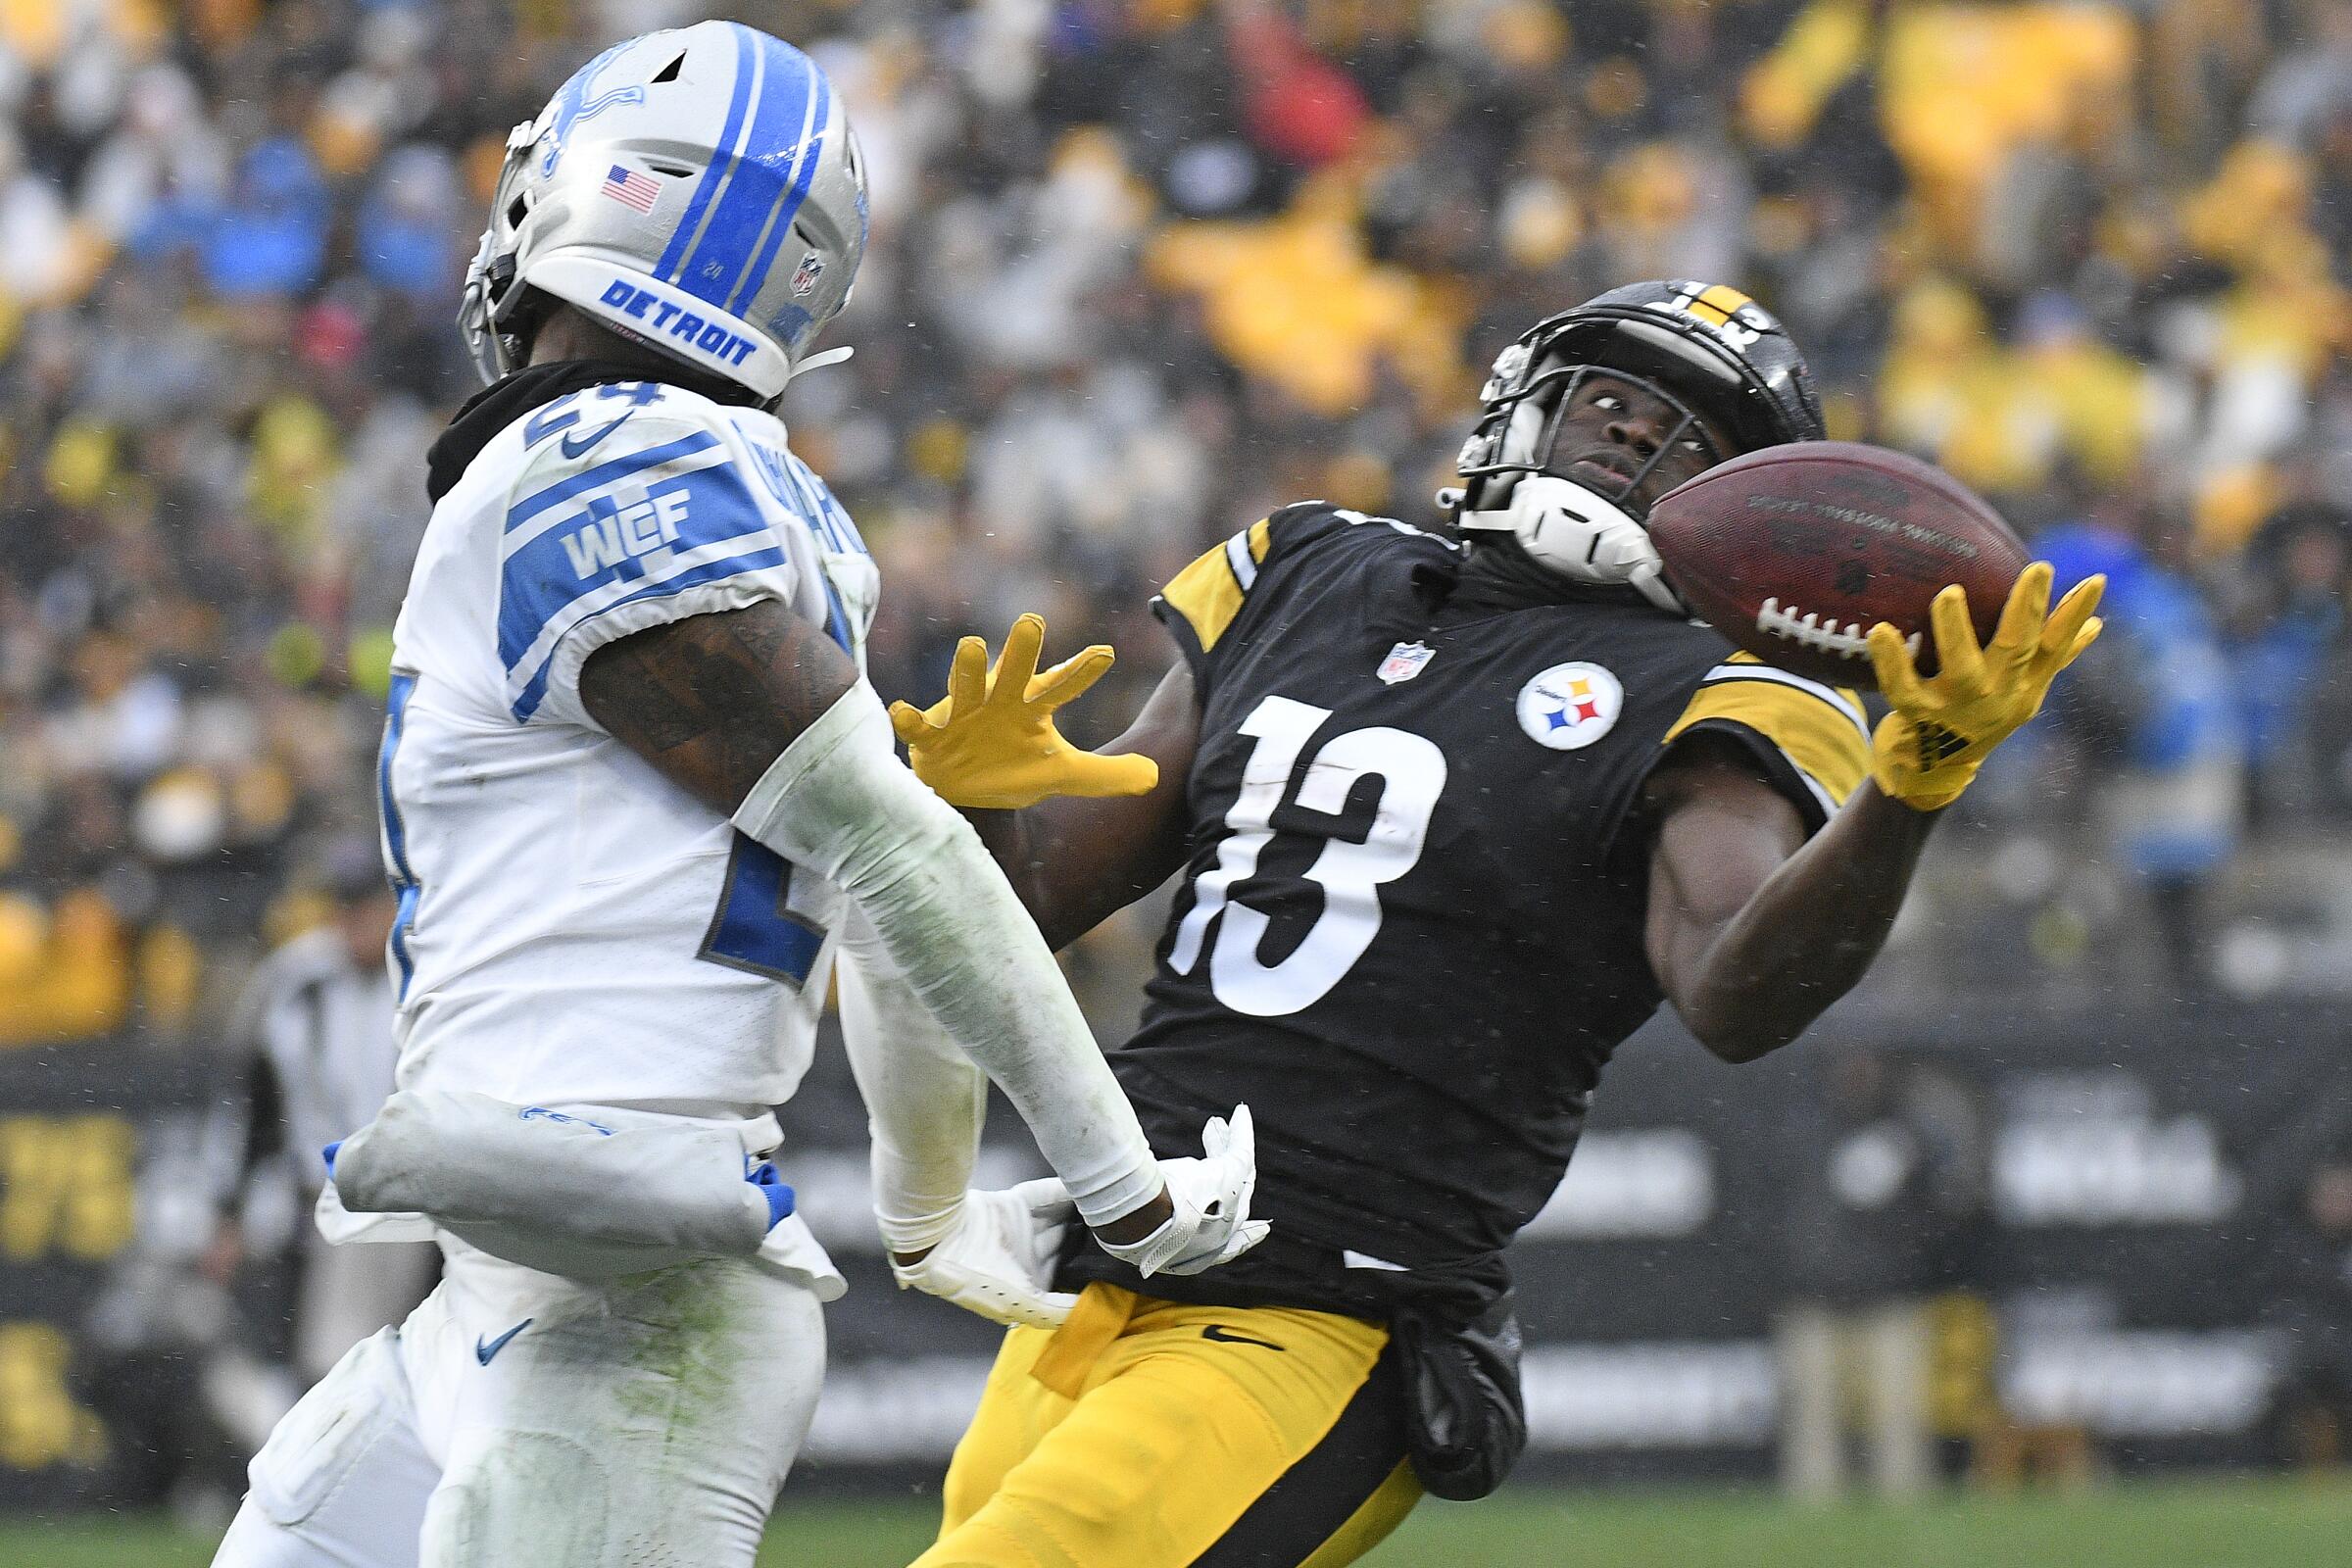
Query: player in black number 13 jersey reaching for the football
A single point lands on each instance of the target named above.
(1455, 812)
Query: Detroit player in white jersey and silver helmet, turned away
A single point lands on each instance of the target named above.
(634, 789)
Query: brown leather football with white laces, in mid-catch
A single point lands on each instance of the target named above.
(1798, 551)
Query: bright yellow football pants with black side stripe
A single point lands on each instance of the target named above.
(1154, 1435)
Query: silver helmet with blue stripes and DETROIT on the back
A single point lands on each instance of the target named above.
(730, 152)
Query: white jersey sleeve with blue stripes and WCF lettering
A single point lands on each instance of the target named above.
(650, 525)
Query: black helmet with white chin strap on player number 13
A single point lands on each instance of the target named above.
(1713, 356)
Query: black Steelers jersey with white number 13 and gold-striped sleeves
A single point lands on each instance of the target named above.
(1410, 930)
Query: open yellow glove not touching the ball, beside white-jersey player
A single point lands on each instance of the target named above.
(991, 742)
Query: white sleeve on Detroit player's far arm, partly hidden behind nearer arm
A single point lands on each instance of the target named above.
(926, 1101)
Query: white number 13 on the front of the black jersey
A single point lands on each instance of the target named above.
(1347, 871)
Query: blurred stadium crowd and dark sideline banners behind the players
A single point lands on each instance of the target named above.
(1140, 274)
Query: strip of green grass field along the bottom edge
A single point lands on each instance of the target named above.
(2203, 1525)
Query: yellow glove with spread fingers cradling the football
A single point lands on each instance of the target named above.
(1946, 725)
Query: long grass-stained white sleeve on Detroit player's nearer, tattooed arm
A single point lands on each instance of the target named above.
(841, 803)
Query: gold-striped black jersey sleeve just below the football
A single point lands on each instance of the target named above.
(1810, 739)
